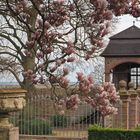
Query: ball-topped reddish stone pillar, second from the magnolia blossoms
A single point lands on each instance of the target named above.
(133, 106)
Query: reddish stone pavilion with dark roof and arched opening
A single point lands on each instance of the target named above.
(122, 57)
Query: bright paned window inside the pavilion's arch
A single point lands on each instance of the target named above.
(135, 76)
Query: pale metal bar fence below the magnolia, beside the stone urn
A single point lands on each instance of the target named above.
(40, 118)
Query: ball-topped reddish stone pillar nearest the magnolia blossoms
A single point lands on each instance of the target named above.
(124, 96)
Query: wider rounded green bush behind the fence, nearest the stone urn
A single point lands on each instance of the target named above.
(35, 127)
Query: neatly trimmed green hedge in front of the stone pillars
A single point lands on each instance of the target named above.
(98, 133)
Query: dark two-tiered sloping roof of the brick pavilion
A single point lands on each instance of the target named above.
(125, 43)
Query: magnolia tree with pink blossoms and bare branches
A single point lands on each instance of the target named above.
(39, 37)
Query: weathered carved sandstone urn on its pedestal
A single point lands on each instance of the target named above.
(11, 100)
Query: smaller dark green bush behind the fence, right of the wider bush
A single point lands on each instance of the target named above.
(59, 121)
